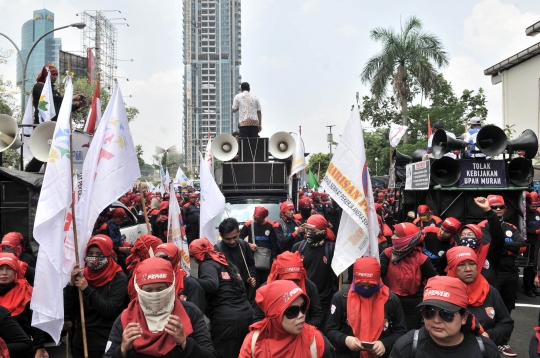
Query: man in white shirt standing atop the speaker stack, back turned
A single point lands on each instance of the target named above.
(250, 121)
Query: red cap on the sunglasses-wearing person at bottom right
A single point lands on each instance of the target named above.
(447, 293)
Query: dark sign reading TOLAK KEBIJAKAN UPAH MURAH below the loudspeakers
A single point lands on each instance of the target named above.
(482, 174)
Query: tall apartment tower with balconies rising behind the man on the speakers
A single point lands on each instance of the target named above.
(212, 57)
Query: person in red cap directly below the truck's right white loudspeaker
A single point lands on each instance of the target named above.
(288, 230)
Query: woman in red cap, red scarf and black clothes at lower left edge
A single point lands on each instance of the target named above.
(15, 295)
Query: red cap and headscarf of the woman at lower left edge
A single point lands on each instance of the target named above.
(17, 298)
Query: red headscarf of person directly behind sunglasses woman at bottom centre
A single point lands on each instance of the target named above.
(288, 266)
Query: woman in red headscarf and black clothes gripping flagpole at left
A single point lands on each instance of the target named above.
(103, 285)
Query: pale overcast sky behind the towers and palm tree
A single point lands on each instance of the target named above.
(302, 58)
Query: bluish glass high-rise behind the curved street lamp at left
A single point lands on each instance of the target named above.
(46, 51)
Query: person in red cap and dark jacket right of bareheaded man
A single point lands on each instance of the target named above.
(260, 234)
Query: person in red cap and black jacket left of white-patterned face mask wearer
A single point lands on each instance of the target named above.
(437, 241)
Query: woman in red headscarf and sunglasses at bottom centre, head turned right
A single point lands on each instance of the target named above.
(284, 332)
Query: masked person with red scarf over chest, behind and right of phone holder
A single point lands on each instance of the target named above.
(404, 268)
